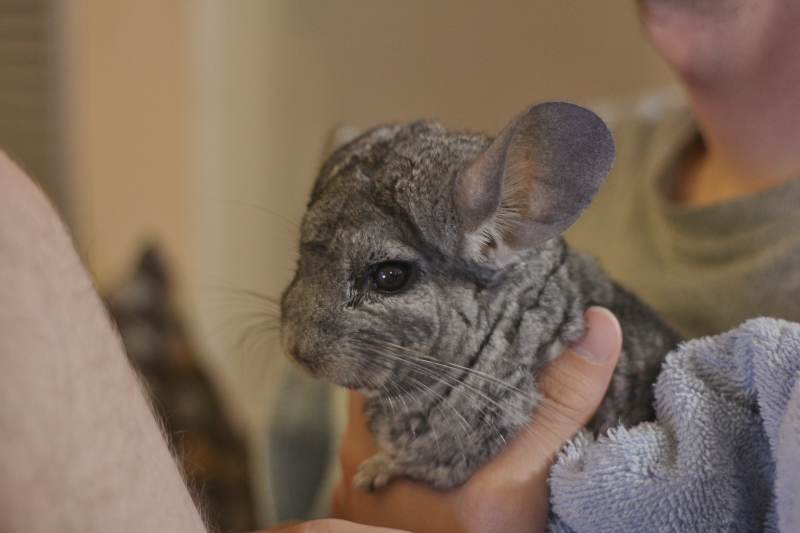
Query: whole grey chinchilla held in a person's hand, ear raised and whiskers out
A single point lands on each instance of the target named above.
(433, 279)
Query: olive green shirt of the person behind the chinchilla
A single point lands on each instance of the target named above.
(704, 269)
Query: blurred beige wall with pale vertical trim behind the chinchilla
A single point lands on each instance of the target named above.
(200, 123)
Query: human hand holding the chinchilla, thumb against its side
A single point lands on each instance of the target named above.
(509, 493)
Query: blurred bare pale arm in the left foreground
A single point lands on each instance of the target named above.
(79, 448)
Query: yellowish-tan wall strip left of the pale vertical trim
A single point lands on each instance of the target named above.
(127, 80)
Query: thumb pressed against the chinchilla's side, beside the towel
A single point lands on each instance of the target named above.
(574, 384)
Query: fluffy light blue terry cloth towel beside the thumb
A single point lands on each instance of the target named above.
(722, 455)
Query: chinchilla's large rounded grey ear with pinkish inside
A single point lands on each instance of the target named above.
(533, 181)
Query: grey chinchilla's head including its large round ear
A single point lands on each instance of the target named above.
(413, 233)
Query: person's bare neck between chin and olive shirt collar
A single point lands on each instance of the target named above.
(751, 141)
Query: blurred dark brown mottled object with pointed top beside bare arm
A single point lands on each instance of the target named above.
(212, 453)
